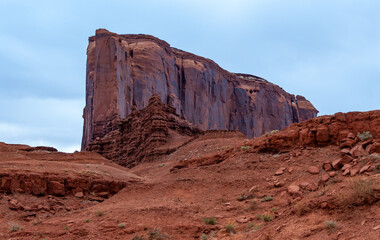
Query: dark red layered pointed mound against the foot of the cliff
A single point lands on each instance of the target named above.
(145, 135)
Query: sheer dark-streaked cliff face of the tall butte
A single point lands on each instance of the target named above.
(126, 70)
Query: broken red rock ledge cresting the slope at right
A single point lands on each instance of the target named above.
(344, 129)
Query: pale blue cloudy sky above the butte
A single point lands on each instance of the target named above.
(325, 50)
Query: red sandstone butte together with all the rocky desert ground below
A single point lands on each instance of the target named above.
(315, 179)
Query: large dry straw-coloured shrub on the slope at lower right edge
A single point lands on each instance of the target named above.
(359, 192)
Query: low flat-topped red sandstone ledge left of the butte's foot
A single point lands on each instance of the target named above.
(43, 171)
